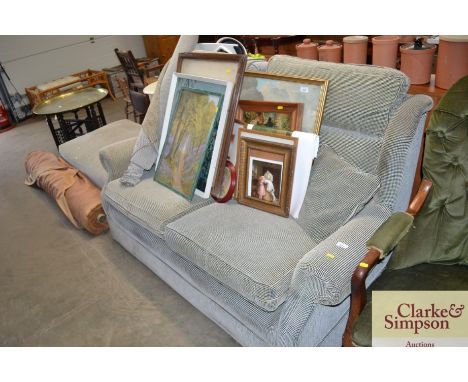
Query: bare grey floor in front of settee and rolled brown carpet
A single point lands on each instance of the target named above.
(63, 287)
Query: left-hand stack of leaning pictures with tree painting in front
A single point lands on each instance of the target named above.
(198, 122)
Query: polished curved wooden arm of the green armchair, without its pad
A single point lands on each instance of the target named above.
(373, 256)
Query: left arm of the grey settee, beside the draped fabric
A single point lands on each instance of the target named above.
(115, 158)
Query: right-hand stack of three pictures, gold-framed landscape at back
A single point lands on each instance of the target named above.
(271, 109)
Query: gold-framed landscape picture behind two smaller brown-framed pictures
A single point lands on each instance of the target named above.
(311, 92)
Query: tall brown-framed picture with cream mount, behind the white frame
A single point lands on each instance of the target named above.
(221, 66)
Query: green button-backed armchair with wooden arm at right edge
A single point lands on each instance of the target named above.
(433, 247)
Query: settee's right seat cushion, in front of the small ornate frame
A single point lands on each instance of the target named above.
(250, 251)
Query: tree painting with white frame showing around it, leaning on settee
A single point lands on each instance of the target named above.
(192, 134)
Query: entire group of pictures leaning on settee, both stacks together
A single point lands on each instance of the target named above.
(205, 124)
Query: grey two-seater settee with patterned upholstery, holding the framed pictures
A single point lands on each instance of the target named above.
(269, 280)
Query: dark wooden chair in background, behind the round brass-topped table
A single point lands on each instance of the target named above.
(137, 76)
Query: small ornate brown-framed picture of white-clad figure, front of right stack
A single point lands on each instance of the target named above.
(265, 170)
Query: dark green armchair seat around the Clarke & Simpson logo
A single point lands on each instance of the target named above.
(420, 277)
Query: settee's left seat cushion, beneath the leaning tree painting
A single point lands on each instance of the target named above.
(149, 203)
